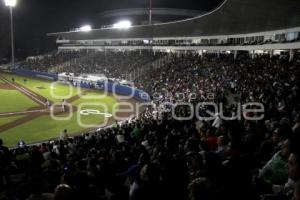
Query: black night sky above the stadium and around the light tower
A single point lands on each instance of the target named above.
(34, 18)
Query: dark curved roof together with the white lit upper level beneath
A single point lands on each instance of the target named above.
(267, 26)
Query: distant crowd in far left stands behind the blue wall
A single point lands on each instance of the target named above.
(111, 64)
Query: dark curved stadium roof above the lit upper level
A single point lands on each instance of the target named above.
(230, 17)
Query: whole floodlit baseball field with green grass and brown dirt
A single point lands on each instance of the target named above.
(36, 110)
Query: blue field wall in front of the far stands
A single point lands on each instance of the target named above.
(112, 87)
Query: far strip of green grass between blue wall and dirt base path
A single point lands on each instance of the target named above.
(52, 91)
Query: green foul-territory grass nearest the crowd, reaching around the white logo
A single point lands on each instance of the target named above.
(45, 127)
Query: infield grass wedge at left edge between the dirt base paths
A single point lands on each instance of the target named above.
(13, 101)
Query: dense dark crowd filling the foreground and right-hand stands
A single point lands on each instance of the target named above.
(158, 157)
